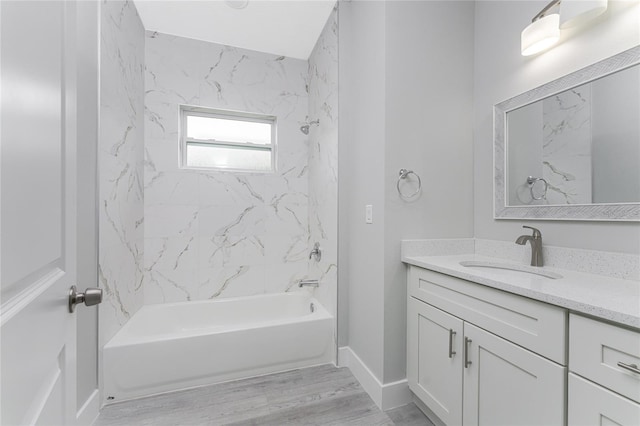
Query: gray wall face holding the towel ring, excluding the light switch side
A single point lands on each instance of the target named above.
(429, 84)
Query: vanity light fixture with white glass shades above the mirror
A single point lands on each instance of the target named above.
(544, 29)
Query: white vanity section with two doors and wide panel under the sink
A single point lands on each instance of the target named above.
(482, 356)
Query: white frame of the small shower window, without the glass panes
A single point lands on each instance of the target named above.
(197, 111)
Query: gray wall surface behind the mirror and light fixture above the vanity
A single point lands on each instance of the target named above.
(500, 72)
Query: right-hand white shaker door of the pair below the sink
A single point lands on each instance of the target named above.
(505, 384)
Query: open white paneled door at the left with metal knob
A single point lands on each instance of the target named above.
(38, 213)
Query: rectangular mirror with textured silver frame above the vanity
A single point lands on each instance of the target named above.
(558, 116)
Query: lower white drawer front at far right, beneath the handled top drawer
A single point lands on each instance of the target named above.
(590, 404)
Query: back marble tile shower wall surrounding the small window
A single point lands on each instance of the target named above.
(212, 234)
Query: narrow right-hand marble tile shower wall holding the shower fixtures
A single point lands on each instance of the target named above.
(323, 160)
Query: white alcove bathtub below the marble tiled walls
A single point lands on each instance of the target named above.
(180, 345)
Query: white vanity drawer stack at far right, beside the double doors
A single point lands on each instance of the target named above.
(604, 378)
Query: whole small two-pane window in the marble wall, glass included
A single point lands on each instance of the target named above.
(214, 139)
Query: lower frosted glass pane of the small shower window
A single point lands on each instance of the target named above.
(200, 155)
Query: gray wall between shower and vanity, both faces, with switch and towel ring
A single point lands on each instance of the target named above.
(405, 101)
